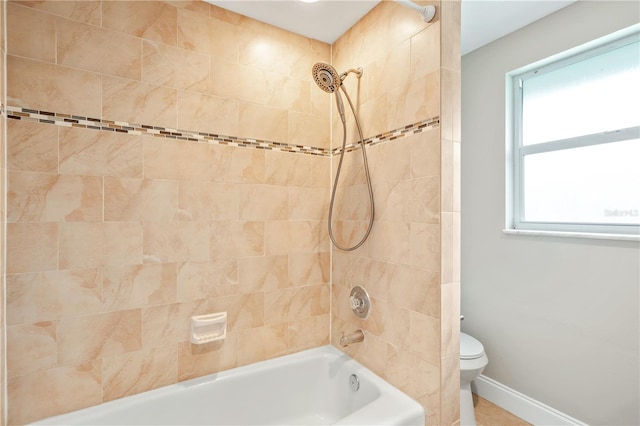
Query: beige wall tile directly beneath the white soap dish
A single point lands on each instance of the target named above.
(199, 360)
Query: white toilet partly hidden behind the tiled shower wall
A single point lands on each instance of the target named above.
(472, 362)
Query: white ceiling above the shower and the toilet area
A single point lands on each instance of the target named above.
(483, 21)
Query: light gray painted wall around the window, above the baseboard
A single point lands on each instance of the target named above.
(559, 317)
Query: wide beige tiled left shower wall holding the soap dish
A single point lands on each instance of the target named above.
(120, 227)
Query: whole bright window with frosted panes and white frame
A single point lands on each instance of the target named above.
(576, 141)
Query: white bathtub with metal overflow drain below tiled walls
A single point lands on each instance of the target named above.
(307, 388)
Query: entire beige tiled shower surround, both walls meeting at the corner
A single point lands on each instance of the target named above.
(117, 236)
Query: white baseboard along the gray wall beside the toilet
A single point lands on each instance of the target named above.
(526, 408)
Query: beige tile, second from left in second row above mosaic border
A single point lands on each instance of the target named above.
(95, 49)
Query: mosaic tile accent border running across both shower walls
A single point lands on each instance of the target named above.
(67, 120)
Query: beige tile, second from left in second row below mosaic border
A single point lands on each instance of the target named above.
(129, 200)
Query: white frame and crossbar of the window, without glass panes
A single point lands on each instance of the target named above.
(516, 151)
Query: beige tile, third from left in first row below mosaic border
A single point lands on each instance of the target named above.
(175, 160)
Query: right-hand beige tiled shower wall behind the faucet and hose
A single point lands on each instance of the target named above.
(409, 264)
